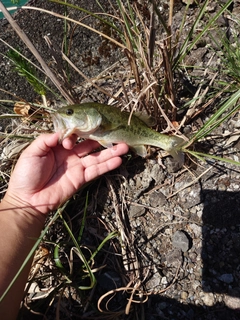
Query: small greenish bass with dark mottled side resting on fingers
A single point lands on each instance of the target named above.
(108, 125)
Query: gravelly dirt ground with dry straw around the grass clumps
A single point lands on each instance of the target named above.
(183, 225)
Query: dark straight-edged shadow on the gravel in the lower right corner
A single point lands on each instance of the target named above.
(221, 262)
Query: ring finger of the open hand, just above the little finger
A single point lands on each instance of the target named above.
(104, 155)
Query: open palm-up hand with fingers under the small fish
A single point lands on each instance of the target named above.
(47, 174)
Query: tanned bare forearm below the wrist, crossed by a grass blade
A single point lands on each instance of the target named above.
(19, 229)
